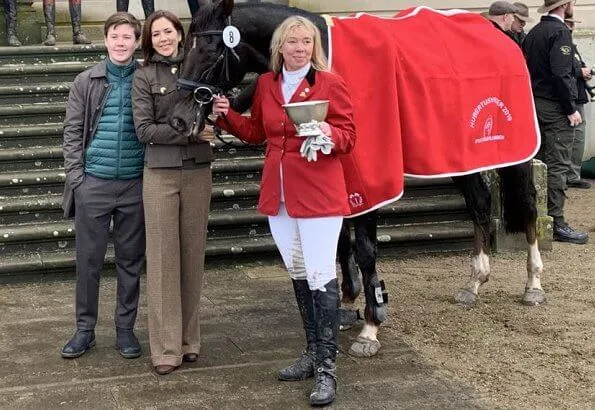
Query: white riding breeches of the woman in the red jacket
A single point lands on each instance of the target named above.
(308, 246)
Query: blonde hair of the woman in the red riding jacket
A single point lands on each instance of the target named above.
(319, 61)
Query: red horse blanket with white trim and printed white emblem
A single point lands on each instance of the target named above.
(435, 93)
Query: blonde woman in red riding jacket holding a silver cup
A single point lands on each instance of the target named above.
(305, 201)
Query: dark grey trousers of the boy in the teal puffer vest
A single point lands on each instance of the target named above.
(98, 202)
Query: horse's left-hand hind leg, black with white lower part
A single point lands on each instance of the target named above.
(478, 201)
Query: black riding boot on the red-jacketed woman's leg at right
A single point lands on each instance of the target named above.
(326, 306)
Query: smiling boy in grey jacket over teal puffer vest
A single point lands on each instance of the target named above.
(103, 160)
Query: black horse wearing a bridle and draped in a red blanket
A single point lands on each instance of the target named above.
(211, 67)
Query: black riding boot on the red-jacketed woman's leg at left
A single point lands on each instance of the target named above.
(303, 367)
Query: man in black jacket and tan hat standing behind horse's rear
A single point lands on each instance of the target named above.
(550, 53)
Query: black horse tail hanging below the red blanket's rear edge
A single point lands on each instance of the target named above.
(518, 197)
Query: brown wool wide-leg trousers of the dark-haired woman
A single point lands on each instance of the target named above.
(176, 205)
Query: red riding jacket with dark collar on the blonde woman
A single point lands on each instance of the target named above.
(311, 189)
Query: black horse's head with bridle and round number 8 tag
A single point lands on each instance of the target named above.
(211, 65)
